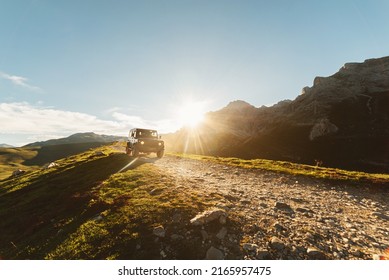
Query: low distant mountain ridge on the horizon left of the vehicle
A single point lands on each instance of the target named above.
(87, 137)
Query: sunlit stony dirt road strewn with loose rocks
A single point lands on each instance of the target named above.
(288, 217)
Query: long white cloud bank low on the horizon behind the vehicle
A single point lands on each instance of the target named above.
(42, 123)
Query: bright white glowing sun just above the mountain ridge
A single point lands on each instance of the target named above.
(191, 113)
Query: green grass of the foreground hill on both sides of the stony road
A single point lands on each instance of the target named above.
(84, 209)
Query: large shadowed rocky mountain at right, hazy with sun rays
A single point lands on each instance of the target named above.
(341, 121)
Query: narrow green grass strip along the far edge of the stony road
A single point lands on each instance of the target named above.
(296, 169)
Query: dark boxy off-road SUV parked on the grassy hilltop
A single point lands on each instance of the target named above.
(144, 141)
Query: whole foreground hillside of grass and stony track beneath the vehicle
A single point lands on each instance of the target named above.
(102, 204)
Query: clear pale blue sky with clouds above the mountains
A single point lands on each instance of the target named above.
(106, 66)
